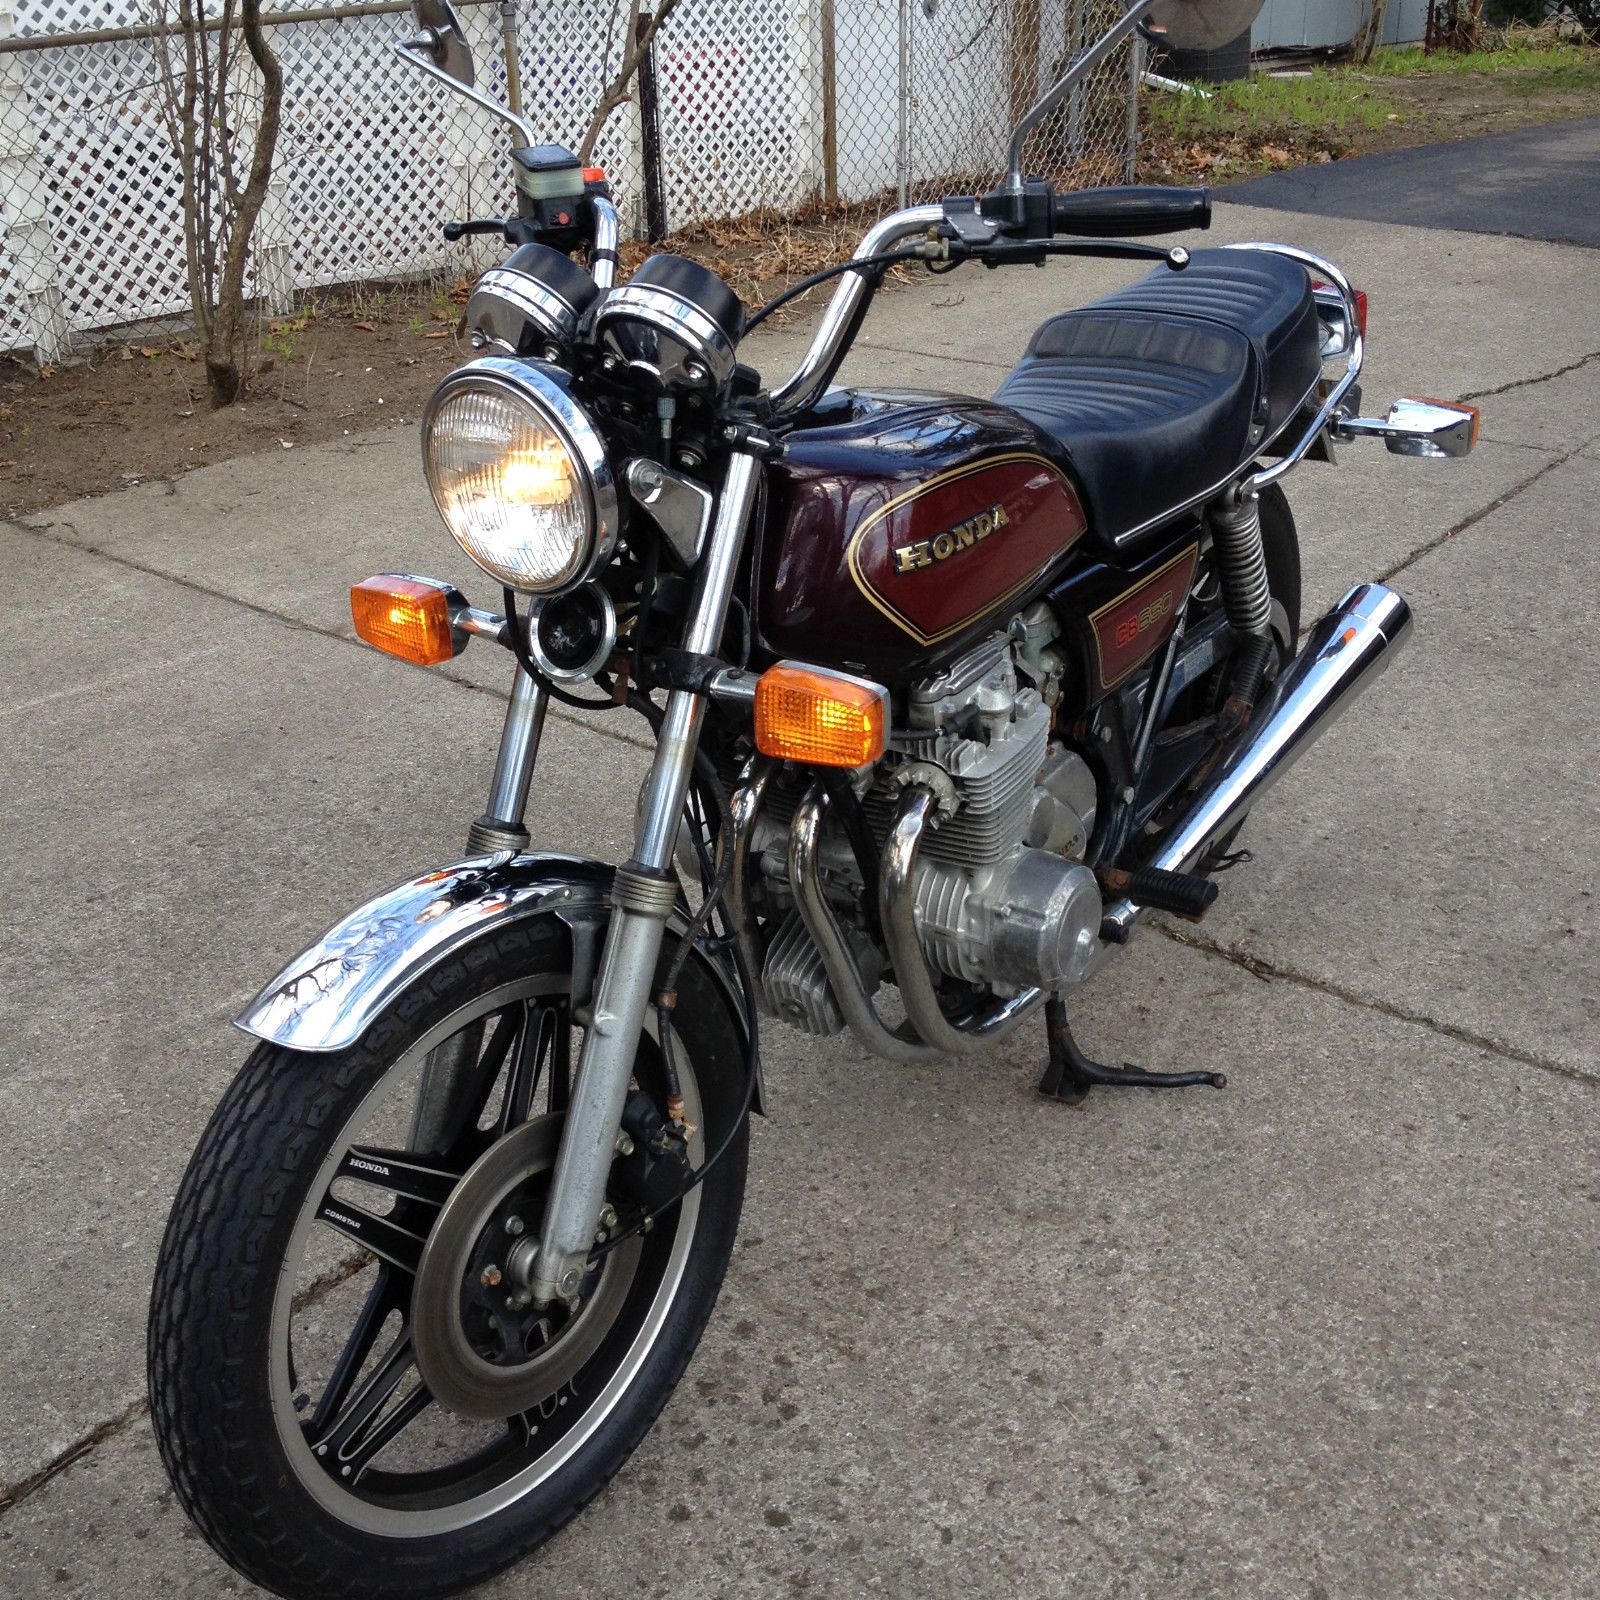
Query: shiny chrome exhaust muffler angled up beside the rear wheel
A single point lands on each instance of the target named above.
(1343, 655)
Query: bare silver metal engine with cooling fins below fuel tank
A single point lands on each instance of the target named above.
(1002, 897)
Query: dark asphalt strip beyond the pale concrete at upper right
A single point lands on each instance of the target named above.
(1534, 183)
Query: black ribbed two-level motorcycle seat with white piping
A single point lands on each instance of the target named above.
(1159, 394)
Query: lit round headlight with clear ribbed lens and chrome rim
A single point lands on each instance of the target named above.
(521, 476)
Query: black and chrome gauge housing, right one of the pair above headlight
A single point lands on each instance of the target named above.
(676, 322)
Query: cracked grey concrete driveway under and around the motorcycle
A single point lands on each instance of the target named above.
(1327, 1334)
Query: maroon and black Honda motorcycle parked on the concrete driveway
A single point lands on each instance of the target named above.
(946, 695)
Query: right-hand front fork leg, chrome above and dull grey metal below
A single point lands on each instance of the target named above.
(644, 895)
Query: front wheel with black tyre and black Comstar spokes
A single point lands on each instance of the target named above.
(350, 1390)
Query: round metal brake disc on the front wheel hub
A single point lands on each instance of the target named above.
(481, 1345)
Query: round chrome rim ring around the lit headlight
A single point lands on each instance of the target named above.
(545, 390)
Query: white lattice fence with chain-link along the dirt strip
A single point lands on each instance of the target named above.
(745, 106)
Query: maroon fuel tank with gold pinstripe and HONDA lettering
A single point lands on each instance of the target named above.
(906, 529)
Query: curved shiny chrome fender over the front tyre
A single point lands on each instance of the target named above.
(330, 994)
